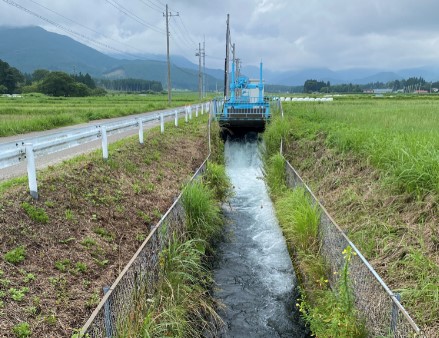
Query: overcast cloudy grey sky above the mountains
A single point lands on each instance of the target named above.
(285, 34)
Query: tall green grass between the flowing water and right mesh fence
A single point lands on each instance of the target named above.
(328, 313)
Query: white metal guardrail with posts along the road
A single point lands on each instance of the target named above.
(13, 153)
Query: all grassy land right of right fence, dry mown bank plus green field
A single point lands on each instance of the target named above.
(374, 163)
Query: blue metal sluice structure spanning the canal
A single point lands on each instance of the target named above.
(246, 106)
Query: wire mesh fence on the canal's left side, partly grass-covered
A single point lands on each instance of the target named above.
(139, 277)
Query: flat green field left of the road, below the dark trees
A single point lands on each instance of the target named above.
(35, 112)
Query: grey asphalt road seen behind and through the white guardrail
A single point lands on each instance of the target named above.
(51, 159)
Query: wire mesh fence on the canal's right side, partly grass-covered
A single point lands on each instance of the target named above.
(378, 306)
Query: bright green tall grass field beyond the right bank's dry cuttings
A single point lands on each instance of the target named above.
(398, 136)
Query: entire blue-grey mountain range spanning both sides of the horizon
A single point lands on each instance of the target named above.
(31, 48)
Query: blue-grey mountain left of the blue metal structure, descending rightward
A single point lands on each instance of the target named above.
(31, 48)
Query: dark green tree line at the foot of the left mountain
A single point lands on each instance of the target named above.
(57, 83)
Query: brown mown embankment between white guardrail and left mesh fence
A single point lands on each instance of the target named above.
(58, 252)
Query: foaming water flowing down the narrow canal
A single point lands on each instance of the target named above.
(254, 274)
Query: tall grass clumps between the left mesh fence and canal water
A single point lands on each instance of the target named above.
(182, 304)
